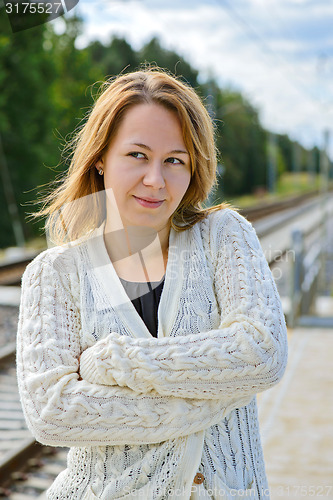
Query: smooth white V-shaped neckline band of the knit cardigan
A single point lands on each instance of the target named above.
(105, 273)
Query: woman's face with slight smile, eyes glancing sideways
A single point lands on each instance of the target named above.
(147, 167)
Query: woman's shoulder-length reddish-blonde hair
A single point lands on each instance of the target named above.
(78, 198)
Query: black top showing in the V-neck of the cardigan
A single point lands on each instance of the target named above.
(145, 297)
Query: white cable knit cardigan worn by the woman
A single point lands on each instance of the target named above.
(143, 415)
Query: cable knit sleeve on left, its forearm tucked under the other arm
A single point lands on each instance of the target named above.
(63, 410)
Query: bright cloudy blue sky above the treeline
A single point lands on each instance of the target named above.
(278, 53)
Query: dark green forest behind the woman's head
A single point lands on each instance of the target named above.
(47, 87)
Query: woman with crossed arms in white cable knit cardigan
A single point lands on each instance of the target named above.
(143, 341)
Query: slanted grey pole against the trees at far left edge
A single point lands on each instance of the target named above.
(10, 198)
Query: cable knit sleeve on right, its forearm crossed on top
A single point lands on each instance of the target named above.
(245, 355)
